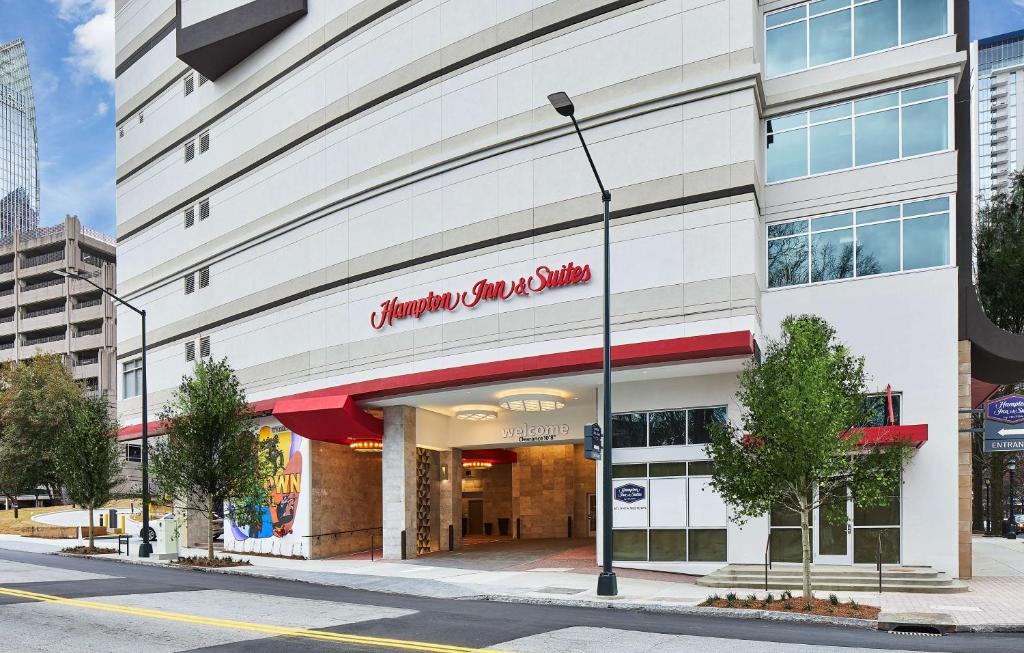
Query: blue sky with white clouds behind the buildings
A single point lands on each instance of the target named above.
(71, 54)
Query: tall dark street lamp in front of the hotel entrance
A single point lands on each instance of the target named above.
(608, 586)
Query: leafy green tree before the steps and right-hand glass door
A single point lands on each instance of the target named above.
(800, 448)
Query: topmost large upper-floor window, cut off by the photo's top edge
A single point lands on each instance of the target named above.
(829, 31)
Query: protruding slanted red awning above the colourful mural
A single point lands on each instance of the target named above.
(330, 419)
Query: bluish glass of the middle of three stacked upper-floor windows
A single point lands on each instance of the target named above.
(887, 127)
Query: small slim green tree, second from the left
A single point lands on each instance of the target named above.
(89, 458)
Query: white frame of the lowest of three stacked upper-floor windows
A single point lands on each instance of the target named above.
(901, 220)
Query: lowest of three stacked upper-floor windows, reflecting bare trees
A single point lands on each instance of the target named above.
(901, 237)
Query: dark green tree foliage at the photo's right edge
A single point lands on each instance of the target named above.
(1000, 248)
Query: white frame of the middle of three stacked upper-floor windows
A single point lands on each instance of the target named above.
(855, 115)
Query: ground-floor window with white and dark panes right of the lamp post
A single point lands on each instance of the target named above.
(681, 518)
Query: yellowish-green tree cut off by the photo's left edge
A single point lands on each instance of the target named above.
(36, 399)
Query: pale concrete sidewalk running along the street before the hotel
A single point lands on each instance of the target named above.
(993, 603)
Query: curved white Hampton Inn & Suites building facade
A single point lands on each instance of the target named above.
(381, 224)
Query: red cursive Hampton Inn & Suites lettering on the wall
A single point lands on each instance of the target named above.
(486, 290)
